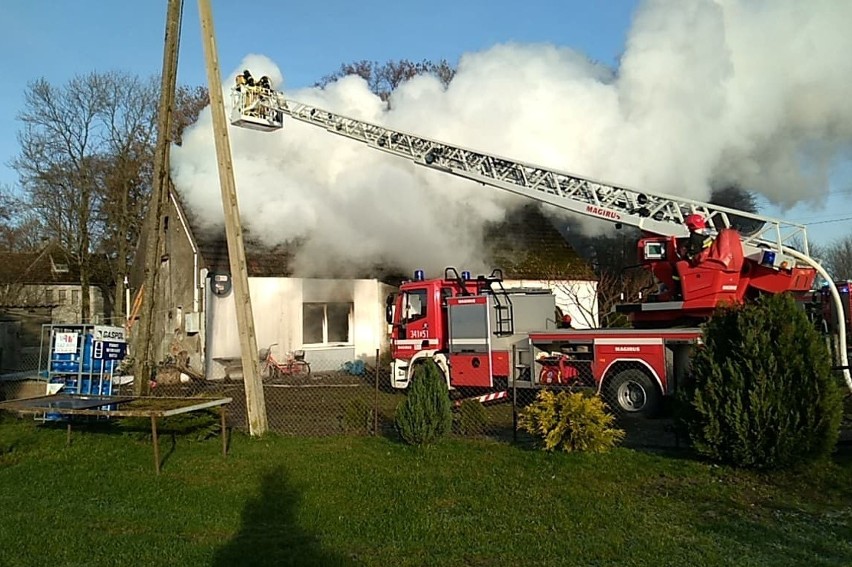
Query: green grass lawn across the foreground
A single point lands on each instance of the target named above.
(373, 501)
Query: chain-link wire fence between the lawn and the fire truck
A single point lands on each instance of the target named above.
(310, 396)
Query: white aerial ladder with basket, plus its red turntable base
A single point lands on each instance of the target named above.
(774, 253)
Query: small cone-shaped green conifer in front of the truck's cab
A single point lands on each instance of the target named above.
(426, 413)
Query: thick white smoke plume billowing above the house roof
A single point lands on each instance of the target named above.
(707, 93)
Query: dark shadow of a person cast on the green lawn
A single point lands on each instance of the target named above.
(269, 533)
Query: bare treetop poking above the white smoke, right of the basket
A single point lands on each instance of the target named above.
(384, 78)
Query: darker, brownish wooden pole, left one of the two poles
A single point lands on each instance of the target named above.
(159, 200)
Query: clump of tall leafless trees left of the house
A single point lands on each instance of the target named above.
(85, 165)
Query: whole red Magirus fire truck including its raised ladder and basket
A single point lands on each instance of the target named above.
(487, 337)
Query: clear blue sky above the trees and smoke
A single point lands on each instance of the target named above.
(59, 39)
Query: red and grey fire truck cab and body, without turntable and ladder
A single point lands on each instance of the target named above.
(487, 337)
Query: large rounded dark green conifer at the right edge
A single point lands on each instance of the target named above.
(762, 394)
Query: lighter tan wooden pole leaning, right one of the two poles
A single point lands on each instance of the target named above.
(255, 403)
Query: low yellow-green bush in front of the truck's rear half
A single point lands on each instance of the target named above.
(570, 421)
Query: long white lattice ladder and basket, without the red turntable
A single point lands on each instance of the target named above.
(655, 213)
